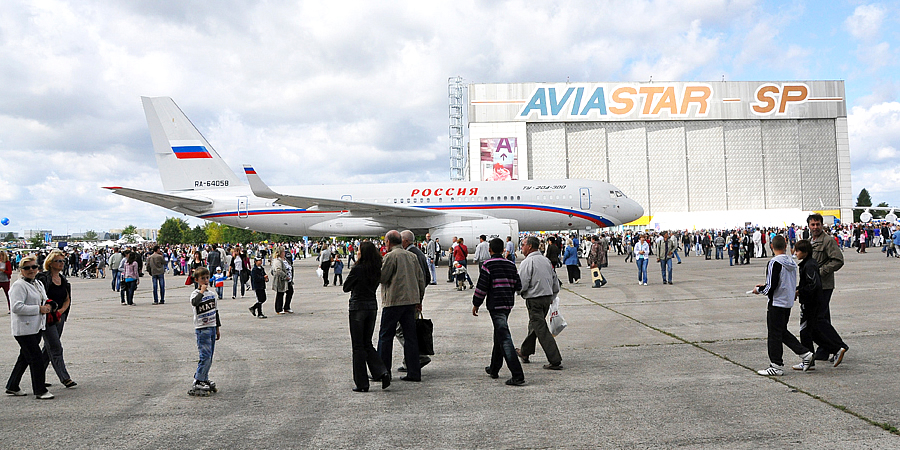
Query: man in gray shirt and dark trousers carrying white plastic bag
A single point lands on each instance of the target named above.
(539, 285)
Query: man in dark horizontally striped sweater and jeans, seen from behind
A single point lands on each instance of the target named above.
(498, 282)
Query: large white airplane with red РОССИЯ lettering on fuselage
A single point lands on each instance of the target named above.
(199, 183)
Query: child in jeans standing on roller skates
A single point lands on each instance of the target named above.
(206, 327)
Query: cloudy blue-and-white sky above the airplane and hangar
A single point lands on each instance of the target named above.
(334, 92)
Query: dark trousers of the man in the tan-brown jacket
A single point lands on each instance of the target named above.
(406, 316)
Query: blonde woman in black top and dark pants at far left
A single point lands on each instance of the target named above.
(59, 293)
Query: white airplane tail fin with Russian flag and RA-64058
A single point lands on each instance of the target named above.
(186, 160)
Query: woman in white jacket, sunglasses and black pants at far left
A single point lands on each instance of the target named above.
(28, 311)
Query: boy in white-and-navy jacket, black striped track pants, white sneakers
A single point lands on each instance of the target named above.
(781, 288)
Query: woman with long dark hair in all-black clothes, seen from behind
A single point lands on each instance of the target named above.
(361, 284)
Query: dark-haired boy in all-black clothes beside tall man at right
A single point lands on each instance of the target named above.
(813, 328)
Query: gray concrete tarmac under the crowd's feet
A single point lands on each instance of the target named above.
(653, 366)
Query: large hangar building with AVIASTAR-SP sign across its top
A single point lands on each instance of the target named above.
(701, 154)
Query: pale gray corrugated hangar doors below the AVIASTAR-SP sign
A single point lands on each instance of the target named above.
(677, 166)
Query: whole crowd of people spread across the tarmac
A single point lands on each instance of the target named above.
(40, 300)
